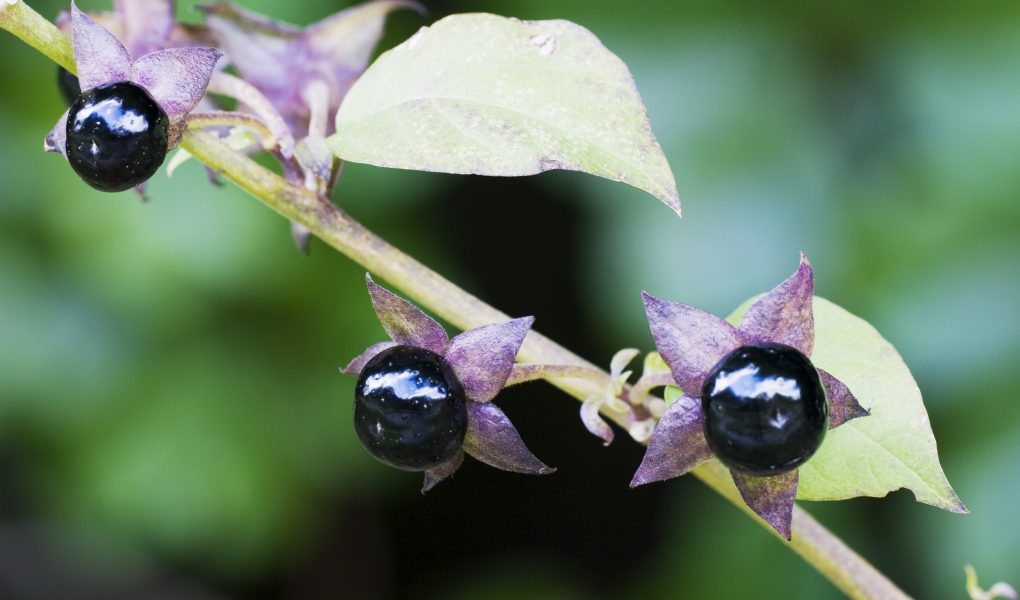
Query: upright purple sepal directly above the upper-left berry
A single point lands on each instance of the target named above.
(100, 59)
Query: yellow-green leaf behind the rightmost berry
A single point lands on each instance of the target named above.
(894, 447)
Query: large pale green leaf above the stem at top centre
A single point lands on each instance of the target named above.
(488, 95)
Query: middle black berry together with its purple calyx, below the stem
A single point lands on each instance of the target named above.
(424, 401)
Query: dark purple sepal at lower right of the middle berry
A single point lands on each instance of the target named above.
(493, 440)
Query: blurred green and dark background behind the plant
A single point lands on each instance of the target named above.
(173, 424)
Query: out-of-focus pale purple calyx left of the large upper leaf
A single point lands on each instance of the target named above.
(299, 68)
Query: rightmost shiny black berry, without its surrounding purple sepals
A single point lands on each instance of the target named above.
(766, 410)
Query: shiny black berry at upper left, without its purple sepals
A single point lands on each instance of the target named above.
(117, 136)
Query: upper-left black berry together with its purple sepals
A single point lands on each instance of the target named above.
(131, 113)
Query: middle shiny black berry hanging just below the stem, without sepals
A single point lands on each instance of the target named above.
(410, 410)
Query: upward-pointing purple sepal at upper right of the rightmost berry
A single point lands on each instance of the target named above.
(784, 315)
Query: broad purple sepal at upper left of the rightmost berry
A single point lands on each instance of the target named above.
(690, 340)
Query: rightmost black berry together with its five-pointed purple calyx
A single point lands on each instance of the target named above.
(751, 396)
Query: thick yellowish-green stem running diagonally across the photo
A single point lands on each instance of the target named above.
(825, 552)
